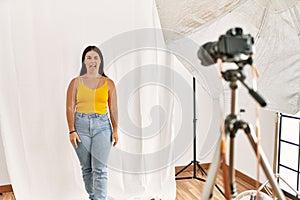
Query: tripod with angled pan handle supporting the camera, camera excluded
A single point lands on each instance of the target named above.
(231, 125)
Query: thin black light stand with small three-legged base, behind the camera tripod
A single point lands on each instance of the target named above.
(194, 162)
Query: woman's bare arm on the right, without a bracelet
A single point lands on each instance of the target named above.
(113, 110)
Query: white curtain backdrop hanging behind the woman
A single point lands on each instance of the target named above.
(41, 46)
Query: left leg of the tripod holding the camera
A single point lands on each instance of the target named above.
(212, 174)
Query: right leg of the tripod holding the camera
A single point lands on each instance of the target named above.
(266, 166)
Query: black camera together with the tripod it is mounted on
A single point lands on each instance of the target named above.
(234, 47)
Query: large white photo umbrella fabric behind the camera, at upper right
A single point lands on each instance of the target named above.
(274, 24)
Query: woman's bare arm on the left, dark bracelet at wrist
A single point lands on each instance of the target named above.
(70, 108)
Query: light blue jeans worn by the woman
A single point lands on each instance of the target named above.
(94, 131)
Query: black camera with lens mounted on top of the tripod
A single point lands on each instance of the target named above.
(234, 46)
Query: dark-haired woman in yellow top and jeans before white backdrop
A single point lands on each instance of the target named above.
(90, 128)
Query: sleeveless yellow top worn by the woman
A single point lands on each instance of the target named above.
(91, 100)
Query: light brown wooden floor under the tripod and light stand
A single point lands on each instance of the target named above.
(189, 189)
